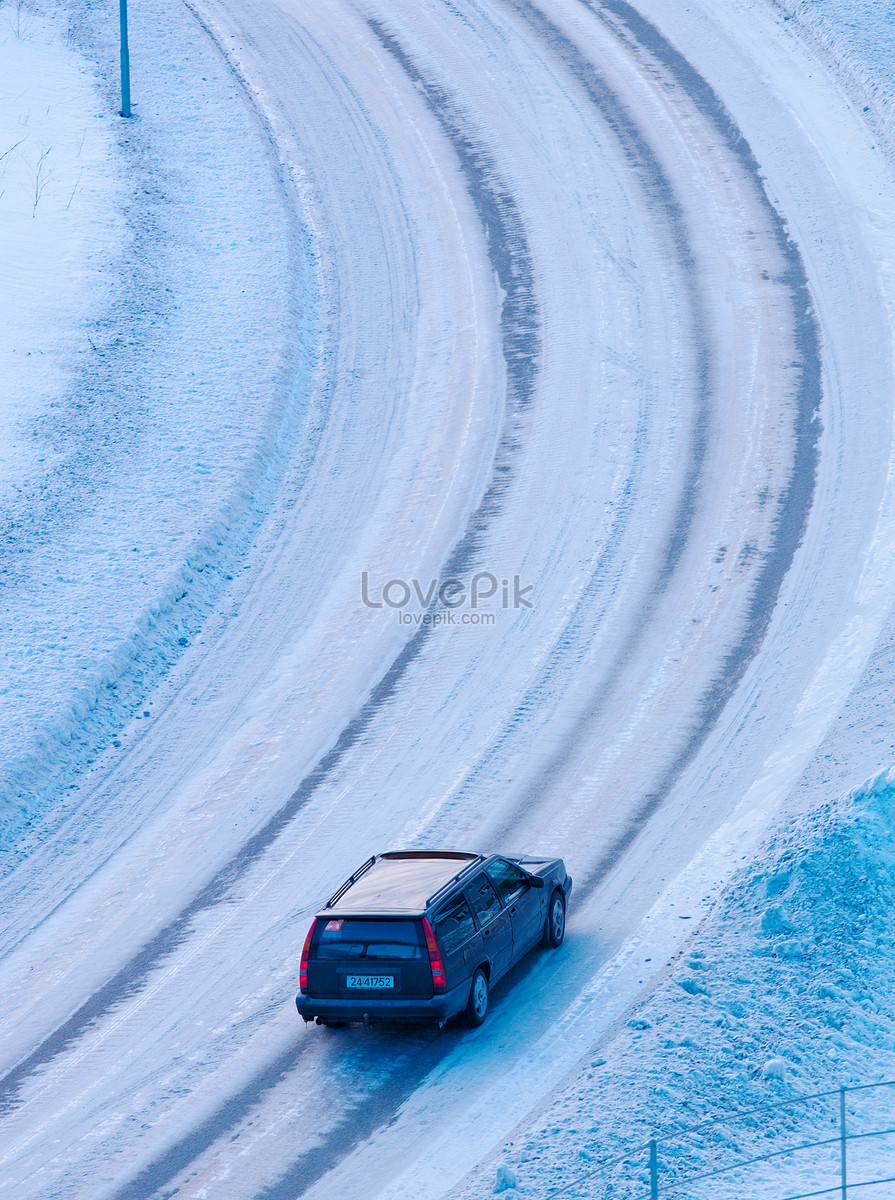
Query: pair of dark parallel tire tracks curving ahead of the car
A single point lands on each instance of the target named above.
(622, 20)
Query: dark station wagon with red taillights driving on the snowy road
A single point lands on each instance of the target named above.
(424, 935)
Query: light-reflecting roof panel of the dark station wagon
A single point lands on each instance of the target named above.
(401, 881)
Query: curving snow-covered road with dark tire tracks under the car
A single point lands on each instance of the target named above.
(603, 305)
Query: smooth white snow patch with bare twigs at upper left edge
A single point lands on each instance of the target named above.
(61, 208)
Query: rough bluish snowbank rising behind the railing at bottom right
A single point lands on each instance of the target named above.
(788, 989)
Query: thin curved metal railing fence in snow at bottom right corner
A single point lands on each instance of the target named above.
(855, 1160)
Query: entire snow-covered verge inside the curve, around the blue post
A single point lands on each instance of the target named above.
(158, 296)
